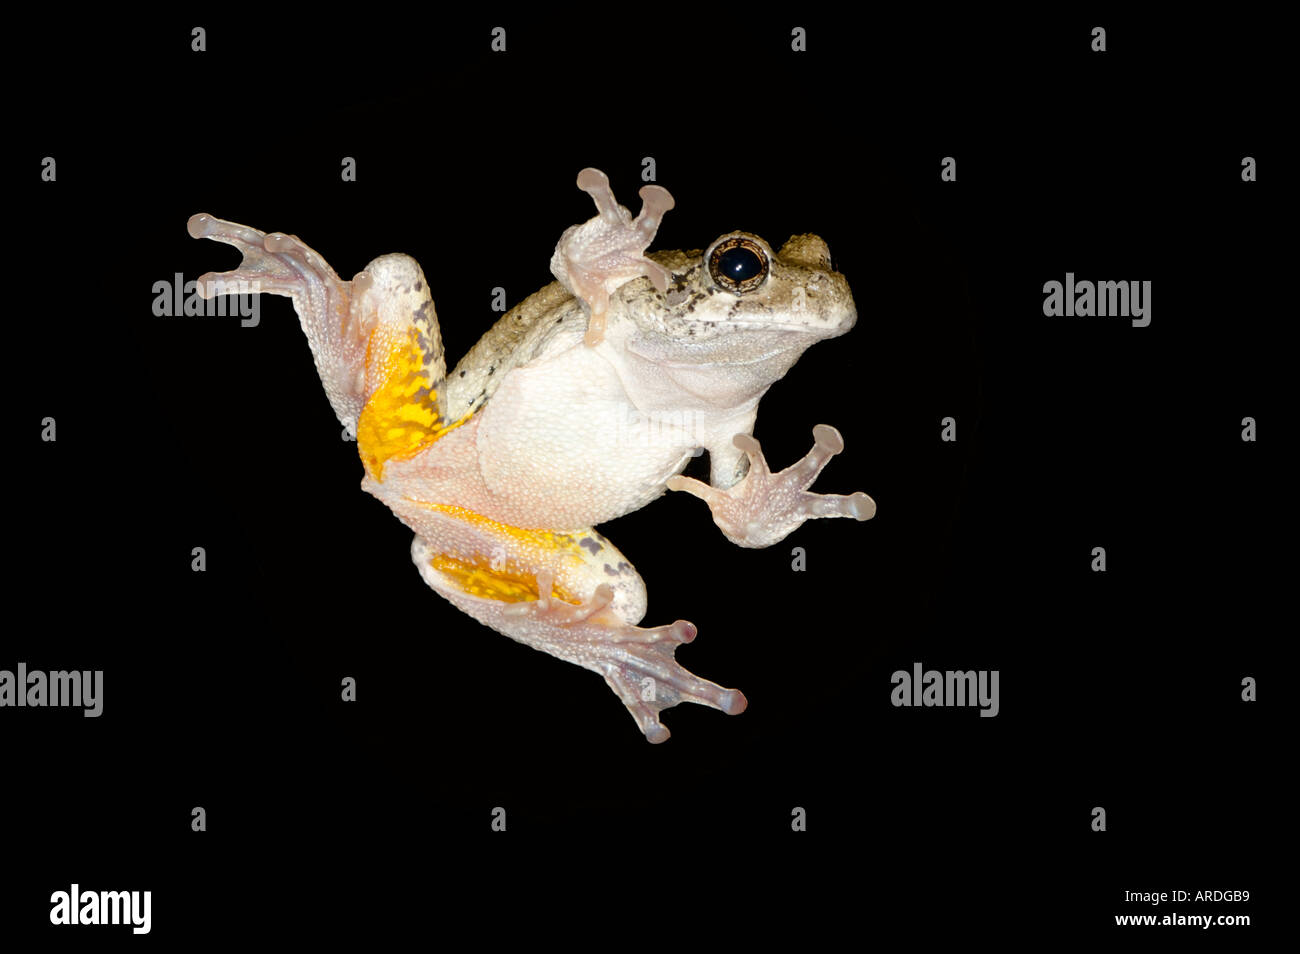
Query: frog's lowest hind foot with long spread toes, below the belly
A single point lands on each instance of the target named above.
(638, 664)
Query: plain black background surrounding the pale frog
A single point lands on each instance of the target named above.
(223, 688)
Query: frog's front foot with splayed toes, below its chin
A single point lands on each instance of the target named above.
(764, 508)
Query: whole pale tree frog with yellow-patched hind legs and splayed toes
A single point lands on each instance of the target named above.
(584, 402)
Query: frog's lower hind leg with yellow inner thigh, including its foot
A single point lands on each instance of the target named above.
(571, 596)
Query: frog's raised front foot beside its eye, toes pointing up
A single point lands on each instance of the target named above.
(596, 259)
